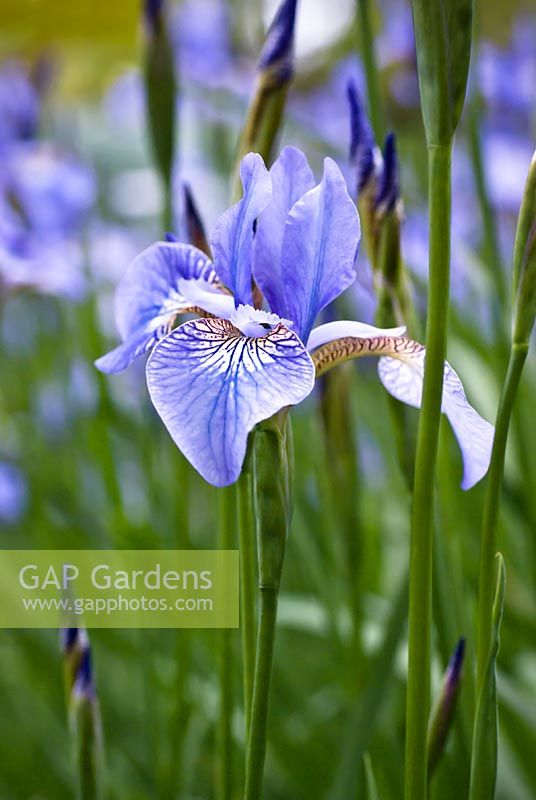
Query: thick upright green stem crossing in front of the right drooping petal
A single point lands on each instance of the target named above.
(421, 560)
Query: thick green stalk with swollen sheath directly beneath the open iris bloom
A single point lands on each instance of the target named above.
(272, 476)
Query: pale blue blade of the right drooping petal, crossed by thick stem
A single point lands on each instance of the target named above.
(404, 380)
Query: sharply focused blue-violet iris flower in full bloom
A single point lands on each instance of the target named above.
(212, 379)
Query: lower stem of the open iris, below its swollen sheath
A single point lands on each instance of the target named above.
(256, 751)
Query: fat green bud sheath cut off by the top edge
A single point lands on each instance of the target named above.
(443, 41)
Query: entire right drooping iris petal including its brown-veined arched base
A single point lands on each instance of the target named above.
(401, 370)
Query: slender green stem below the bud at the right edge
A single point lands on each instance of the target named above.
(487, 578)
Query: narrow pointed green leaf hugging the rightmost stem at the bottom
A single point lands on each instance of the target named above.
(485, 739)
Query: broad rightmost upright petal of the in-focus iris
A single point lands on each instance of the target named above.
(319, 248)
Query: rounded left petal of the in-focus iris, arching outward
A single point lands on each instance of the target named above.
(150, 286)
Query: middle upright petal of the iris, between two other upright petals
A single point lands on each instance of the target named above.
(291, 177)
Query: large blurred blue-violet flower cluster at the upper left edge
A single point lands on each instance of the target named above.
(45, 196)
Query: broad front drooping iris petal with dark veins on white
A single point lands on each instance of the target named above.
(211, 385)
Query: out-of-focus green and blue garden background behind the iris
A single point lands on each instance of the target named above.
(86, 463)
